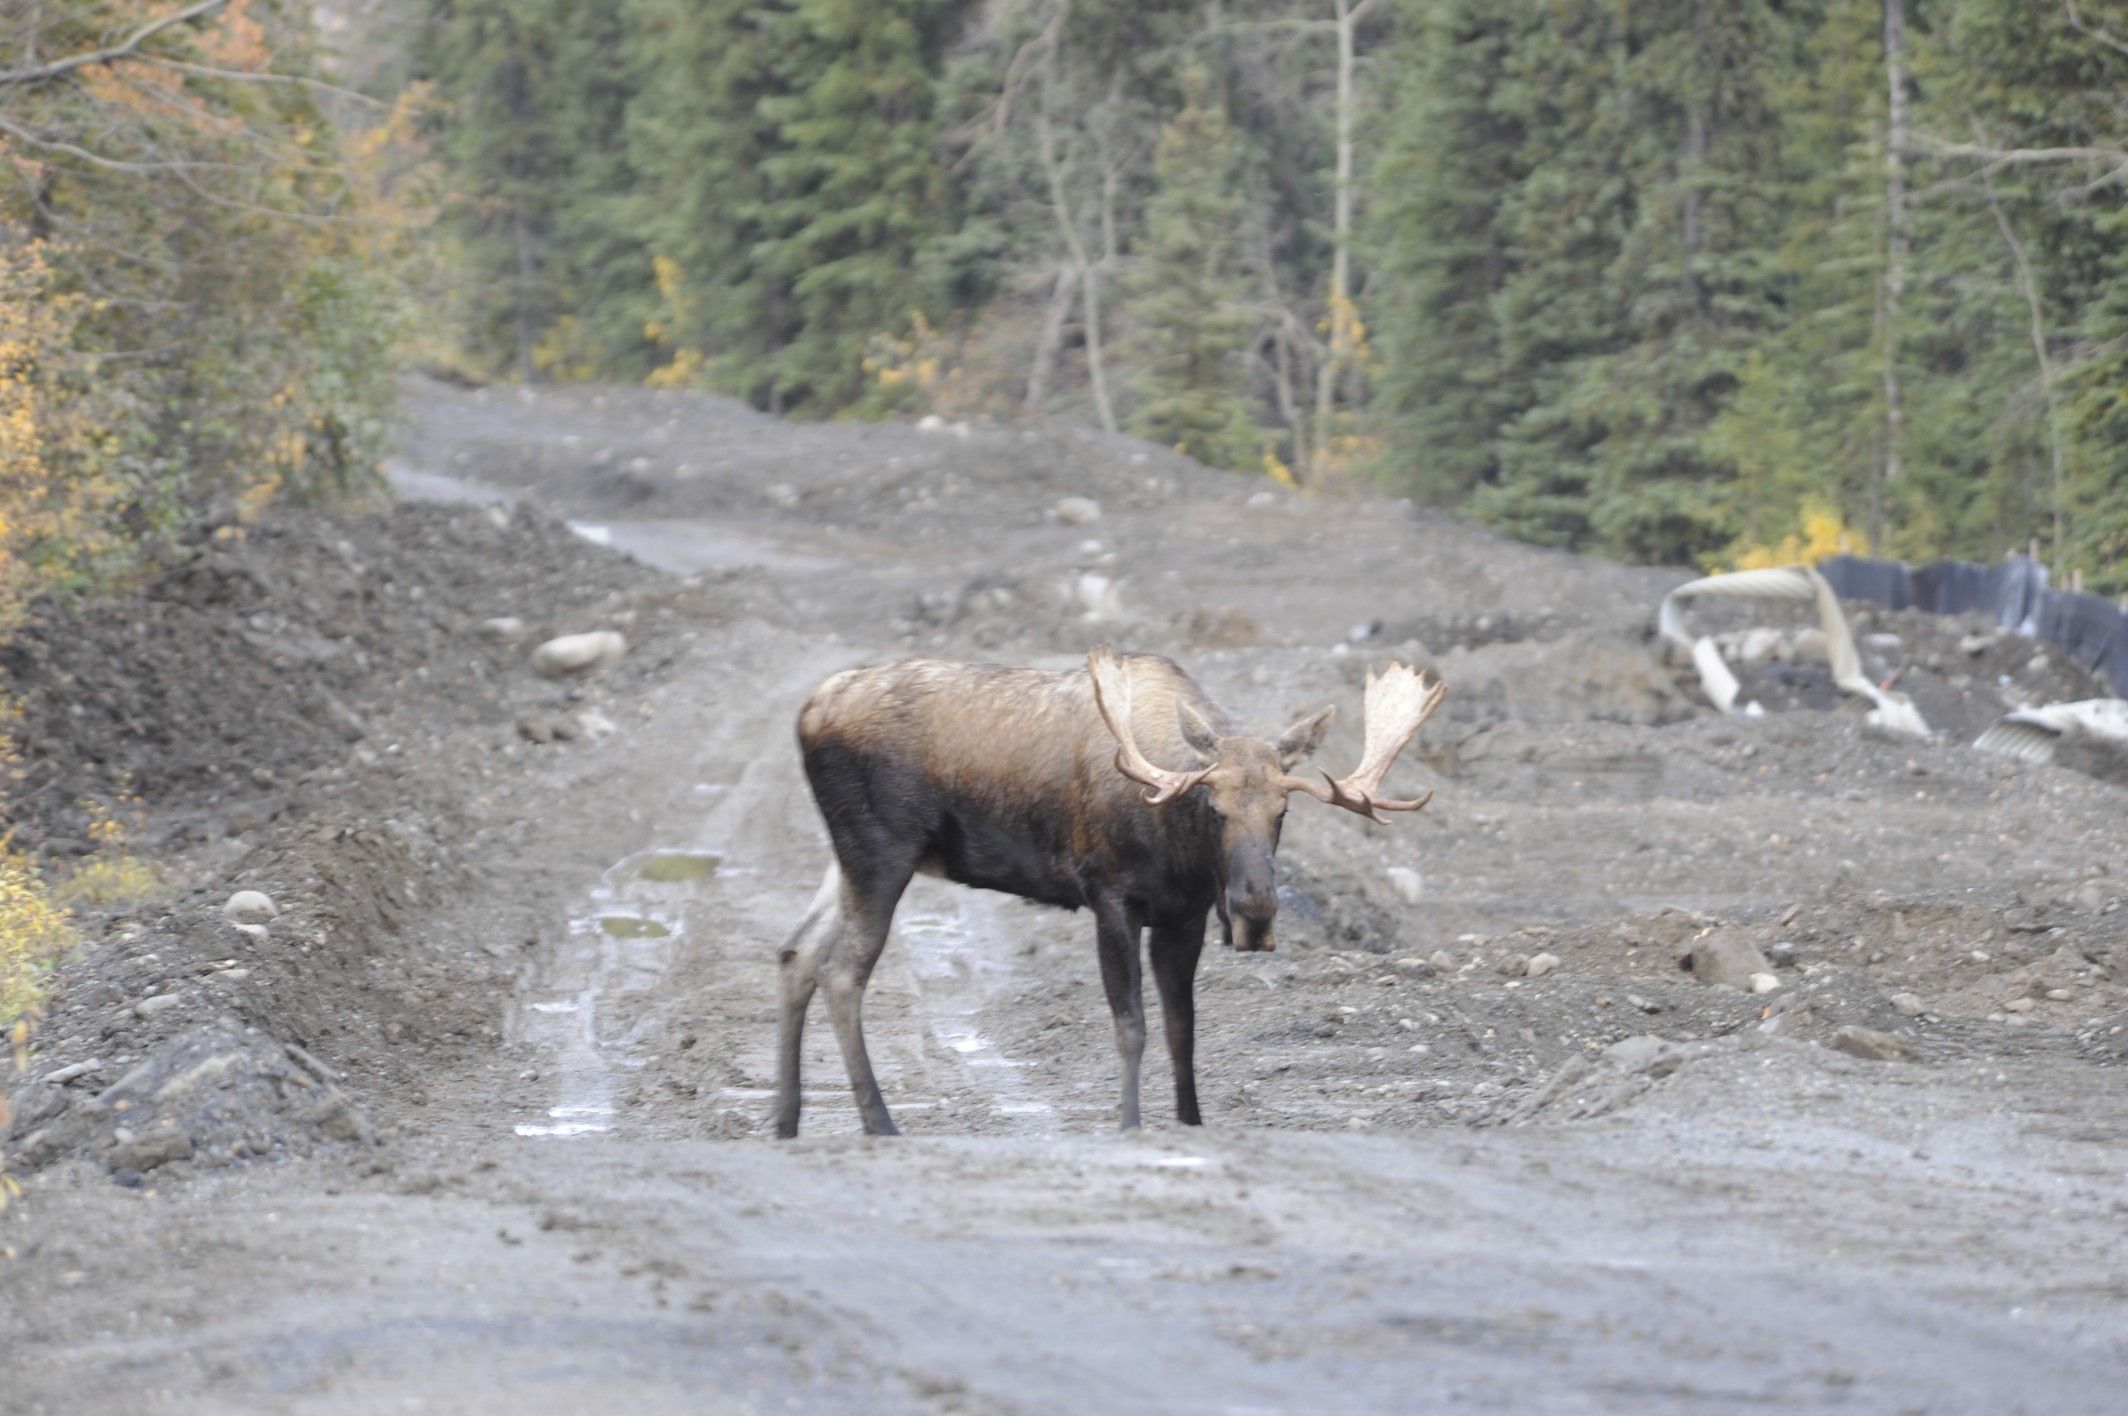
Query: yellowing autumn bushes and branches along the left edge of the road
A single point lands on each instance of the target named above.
(203, 280)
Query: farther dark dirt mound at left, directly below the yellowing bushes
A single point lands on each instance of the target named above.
(263, 657)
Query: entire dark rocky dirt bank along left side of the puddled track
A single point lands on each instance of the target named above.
(318, 712)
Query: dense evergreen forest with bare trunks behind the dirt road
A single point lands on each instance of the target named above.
(1661, 280)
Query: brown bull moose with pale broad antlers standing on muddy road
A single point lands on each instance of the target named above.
(1118, 789)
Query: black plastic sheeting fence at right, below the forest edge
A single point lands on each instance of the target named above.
(2014, 593)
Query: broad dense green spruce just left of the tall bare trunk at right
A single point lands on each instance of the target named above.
(1648, 131)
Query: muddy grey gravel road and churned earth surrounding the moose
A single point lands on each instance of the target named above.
(480, 1123)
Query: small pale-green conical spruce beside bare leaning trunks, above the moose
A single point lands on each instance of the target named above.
(1188, 327)
